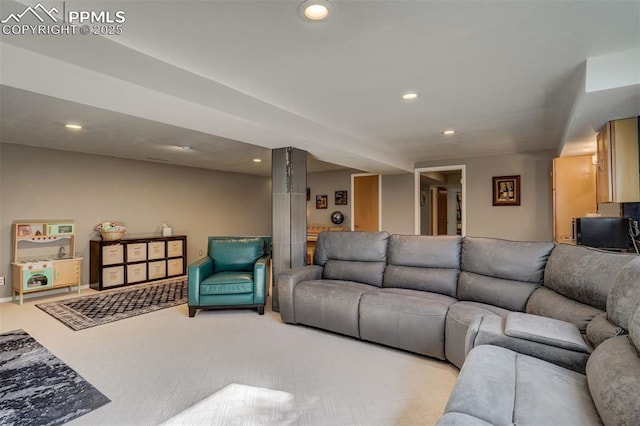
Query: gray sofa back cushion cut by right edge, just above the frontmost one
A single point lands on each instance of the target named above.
(625, 294)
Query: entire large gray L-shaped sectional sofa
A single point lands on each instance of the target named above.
(528, 310)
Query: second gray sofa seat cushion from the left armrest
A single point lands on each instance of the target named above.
(406, 319)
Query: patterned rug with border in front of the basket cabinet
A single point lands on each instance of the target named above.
(113, 305)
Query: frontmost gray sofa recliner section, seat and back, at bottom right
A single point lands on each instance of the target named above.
(502, 386)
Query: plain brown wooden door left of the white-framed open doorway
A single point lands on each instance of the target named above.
(366, 190)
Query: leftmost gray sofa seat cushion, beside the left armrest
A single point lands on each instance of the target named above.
(329, 304)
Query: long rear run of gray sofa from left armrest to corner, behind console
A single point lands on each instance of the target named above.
(421, 293)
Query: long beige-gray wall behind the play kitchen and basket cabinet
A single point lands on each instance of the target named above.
(38, 183)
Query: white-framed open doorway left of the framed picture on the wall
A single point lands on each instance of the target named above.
(440, 200)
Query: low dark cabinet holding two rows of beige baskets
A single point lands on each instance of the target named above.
(136, 260)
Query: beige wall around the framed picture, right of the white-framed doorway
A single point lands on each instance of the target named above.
(532, 220)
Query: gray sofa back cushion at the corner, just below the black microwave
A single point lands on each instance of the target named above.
(582, 273)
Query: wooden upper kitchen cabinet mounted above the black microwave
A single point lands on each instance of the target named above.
(618, 174)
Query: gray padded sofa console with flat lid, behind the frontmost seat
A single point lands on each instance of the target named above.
(531, 335)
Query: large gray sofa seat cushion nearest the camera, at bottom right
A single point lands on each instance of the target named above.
(503, 387)
